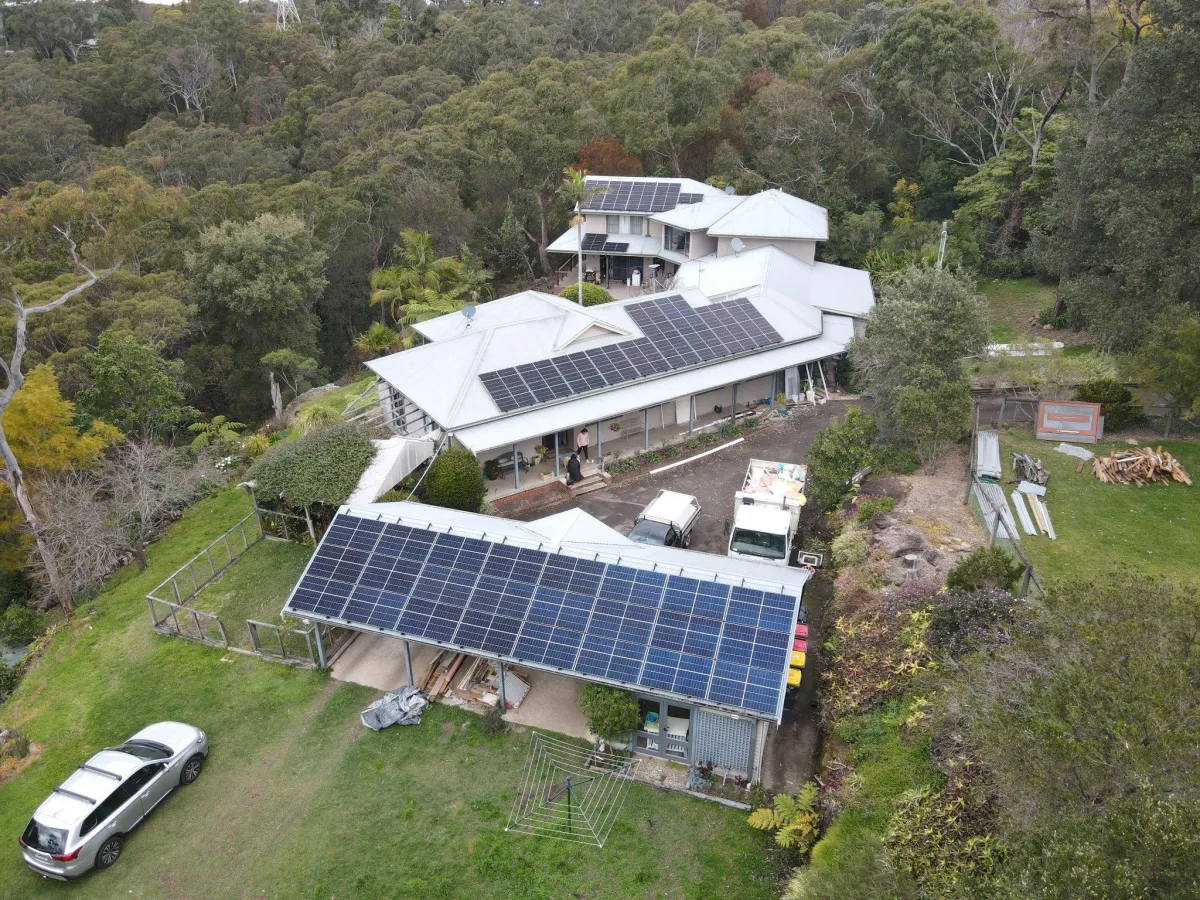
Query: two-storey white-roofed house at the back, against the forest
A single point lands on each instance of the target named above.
(638, 232)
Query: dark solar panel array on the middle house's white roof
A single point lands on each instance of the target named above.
(676, 337)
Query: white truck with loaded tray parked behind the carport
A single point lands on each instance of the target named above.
(767, 512)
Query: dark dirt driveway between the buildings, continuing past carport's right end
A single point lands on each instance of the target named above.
(793, 747)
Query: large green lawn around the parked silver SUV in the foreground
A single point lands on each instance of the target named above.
(299, 801)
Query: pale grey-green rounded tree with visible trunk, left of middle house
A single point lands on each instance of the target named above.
(257, 285)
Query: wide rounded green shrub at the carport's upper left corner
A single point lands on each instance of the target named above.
(323, 466)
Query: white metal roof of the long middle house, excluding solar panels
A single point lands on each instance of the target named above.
(442, 377)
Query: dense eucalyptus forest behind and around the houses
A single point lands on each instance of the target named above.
(260, 176)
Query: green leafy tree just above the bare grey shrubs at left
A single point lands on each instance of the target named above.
(134, 388)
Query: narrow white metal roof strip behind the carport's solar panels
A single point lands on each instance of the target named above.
(541, 543)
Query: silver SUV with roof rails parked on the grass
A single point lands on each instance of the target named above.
(83, 824)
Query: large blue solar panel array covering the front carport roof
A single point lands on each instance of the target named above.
(699, 639)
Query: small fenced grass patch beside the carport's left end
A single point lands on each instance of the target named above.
(255, 587)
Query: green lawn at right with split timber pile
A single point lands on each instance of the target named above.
(1108, 527)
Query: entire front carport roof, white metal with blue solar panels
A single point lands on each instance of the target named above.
(386, 590)
